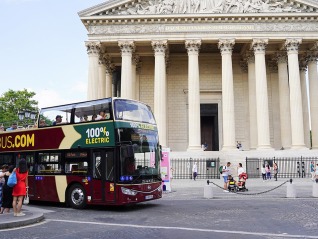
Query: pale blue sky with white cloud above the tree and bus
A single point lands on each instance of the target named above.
(43, 49)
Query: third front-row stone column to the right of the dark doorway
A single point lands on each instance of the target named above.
(296, 108)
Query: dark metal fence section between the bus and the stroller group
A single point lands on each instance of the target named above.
(208, 168)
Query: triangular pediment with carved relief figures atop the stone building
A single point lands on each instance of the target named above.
(171, 7)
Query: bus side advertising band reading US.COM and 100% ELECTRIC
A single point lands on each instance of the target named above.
(100, 134)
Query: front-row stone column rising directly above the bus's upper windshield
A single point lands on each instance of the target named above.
(127, 48)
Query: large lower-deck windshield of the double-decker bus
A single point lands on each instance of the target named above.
(139, 161)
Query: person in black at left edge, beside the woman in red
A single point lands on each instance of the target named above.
(7, 197)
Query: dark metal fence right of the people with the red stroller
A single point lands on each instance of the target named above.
(296, 167)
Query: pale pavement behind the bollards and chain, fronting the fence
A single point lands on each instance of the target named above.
(186, 189)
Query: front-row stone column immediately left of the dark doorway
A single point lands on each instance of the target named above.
(193, 47)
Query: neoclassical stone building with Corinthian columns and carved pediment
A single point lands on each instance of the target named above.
(213, 71)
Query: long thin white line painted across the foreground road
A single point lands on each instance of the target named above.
(284, 235)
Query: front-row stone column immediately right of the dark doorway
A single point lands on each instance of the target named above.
(226, 47)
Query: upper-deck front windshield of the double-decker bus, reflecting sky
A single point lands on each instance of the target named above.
(133, 111)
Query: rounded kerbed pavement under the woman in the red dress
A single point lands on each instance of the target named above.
(32, 215)
